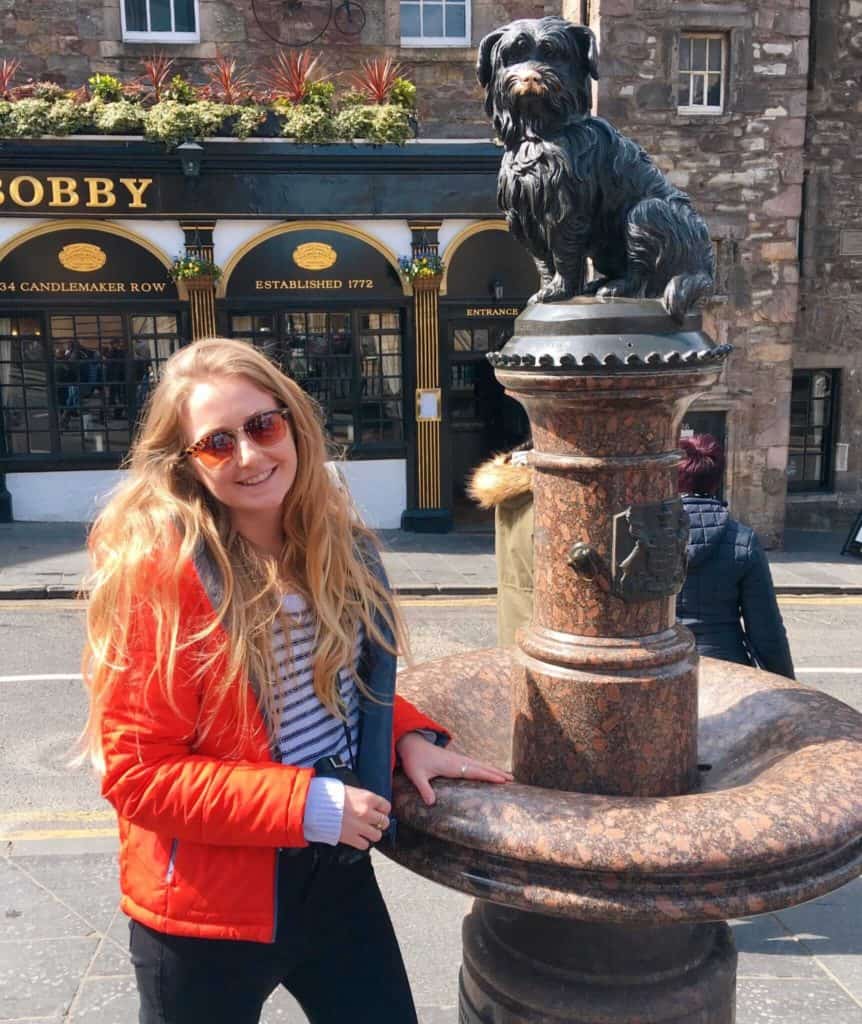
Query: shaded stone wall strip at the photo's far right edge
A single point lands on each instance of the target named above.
(832, 284)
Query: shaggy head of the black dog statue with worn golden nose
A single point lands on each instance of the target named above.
(536, 74)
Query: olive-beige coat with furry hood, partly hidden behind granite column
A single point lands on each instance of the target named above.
(508, 490)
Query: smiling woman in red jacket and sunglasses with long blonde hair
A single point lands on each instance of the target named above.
(241, 664)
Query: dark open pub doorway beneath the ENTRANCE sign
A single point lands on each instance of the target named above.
(483, 419)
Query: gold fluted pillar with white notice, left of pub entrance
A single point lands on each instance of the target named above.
(426, 293)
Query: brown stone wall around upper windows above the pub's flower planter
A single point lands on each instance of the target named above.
(69, 40)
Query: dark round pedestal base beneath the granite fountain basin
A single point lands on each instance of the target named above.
(522, 967)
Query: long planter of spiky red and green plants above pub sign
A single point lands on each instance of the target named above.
(292, 99)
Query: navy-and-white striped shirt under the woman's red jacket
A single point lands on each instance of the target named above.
(308, 731)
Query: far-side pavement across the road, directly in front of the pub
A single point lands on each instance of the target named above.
(49, 561)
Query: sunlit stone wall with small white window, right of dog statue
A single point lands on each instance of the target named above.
(744, 169)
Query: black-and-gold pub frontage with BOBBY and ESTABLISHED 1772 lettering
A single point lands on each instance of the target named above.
(310, 241)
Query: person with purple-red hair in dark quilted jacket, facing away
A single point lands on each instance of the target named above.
(728, 601)
